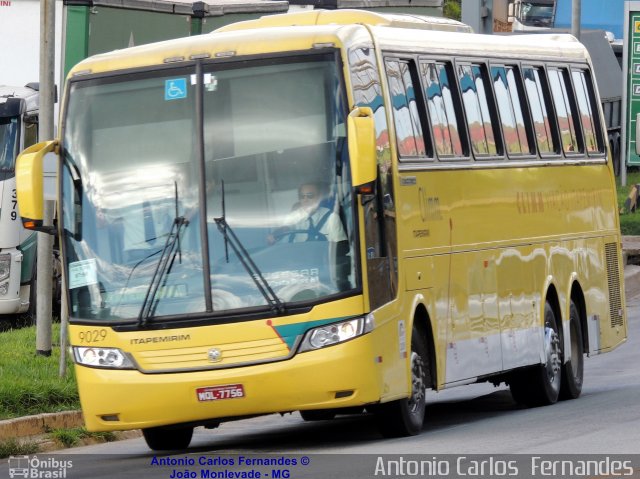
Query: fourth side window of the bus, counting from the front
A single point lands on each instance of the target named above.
(510, 108)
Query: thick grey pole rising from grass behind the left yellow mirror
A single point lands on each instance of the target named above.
(45, 131)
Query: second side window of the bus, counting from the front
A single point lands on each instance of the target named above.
(442, 111)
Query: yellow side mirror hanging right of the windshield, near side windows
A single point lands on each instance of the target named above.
(361, 134)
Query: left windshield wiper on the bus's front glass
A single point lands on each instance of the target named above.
(163, 268)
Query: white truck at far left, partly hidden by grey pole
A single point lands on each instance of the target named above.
(19, 74)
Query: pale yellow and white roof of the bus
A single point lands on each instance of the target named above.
(307, 30)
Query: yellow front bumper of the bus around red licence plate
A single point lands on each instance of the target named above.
(343, 375)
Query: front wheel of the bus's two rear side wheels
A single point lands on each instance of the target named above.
(540, 385)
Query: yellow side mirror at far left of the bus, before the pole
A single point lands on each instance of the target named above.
(31, 182)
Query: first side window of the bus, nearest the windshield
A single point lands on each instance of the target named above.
(409, 134)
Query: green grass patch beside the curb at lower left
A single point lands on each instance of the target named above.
(30, 383)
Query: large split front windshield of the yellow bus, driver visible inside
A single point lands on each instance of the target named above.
(249, 160)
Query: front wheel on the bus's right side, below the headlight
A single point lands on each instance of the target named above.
(404, 417)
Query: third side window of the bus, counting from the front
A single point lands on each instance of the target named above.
(474, 98)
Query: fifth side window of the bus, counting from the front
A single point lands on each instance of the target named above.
(537, 92)
